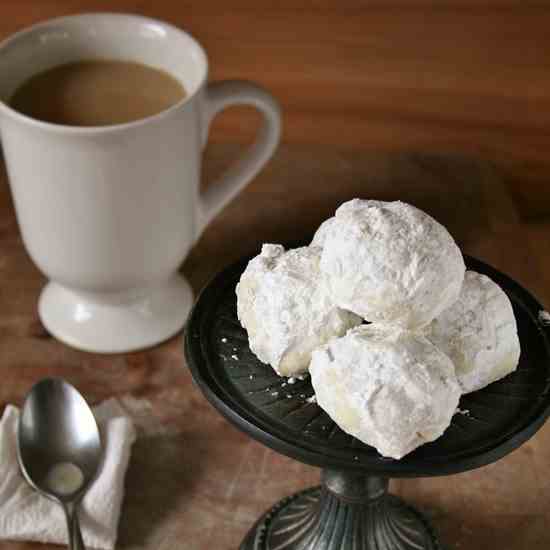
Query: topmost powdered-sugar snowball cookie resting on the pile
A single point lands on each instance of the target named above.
(391, 263)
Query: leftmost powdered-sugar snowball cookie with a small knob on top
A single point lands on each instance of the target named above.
(286, 309)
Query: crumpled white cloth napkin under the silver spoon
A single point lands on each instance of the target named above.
(27, 515)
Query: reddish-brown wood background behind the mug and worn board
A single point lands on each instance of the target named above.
(447, 76)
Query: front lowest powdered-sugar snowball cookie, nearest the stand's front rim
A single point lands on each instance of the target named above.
(390, 388)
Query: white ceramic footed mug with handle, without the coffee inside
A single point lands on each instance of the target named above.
(109, 213)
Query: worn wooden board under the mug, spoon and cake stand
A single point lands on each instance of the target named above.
(194, 482)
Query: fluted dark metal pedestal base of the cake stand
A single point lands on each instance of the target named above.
(348, 511)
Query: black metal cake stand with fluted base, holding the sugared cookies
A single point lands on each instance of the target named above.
(352, 509)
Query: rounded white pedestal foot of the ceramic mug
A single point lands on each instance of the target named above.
(109, 327)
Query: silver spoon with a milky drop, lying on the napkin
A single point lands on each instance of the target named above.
(59, 448)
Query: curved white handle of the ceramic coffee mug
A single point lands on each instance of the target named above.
(218, 96)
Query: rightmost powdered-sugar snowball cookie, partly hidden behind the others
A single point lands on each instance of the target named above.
(478, 332)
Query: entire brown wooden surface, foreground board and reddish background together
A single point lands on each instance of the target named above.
(445, 76)
